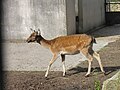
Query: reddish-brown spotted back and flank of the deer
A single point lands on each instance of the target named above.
(71, 42)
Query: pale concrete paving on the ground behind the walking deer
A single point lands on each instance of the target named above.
(32, 57)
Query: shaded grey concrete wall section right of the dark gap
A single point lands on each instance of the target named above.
(91, 14)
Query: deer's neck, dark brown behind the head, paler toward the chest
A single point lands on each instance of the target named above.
(45, 43)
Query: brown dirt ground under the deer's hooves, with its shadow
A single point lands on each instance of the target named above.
(74, 80)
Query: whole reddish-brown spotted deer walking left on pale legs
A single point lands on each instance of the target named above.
(68, 45)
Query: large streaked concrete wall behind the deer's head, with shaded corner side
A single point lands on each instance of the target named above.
(49, 16)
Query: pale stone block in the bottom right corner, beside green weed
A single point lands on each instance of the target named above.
(113, 83)
